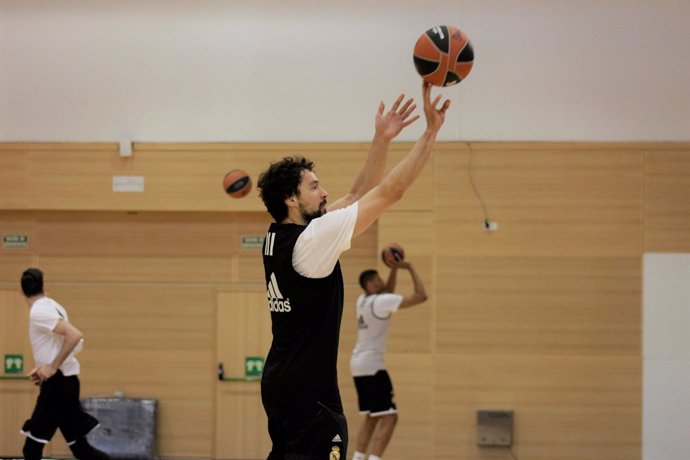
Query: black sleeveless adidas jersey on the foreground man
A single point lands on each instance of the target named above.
(301, 366)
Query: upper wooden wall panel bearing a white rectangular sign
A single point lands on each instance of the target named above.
(170, 183)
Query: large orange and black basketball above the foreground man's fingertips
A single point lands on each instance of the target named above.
(443, 56)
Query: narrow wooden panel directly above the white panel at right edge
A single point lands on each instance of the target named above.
(667, 201)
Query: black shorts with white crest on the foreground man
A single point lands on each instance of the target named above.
(318, 435)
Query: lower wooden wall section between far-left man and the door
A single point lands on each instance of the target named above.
(150, 341)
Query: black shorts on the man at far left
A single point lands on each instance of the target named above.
(58, 406)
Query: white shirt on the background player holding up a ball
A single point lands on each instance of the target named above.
(373, 321)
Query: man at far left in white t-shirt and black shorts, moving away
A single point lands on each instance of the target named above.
(54, 342)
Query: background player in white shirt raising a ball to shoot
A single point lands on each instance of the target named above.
(374, 387)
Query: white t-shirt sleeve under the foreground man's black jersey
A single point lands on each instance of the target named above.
(319, 246)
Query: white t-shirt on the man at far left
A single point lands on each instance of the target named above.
(43, 318)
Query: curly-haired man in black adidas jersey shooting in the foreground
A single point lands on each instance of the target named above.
(299, 387)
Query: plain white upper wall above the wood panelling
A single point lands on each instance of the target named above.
(308, 70)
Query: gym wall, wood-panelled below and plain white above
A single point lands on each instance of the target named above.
(542, 316)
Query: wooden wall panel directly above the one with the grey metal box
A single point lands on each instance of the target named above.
(539, 306)
